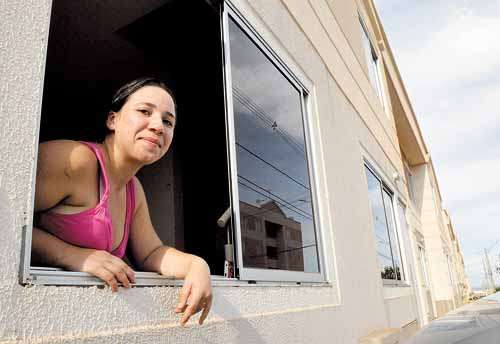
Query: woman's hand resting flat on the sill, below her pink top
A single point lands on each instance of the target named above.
(101, 264)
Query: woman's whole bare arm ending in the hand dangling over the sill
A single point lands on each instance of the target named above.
(152, 255)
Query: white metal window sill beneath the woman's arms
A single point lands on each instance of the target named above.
(59, 277)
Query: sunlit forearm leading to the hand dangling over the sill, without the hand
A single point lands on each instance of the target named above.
(171, 262)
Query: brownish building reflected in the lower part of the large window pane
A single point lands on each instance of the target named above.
(271, 240)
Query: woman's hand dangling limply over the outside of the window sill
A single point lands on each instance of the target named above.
(196, 293)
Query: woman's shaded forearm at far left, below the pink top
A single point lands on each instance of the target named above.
(49, 249)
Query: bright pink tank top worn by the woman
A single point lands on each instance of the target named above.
(92, 228)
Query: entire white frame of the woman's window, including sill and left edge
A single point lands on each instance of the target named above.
(55, 276)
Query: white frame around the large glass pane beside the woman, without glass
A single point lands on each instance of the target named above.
(254, 274)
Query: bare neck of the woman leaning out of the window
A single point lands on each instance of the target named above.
(120, 169)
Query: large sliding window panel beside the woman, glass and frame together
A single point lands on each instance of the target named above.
(272, 193)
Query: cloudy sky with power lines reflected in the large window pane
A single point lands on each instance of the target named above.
(270, 144)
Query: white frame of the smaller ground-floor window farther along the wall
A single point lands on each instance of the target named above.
(396, 197)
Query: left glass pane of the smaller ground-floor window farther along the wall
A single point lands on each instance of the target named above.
(380, 226)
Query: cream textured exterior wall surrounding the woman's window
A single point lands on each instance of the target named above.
(349, 124)
